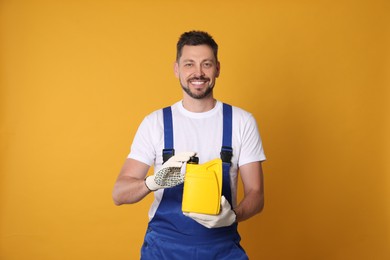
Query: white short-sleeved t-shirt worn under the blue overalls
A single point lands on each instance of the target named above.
(200, 133)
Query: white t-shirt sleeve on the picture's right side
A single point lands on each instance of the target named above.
(252, 146)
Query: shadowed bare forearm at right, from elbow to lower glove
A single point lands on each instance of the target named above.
(252, 204)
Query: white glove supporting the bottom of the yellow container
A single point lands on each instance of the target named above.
(226, 217)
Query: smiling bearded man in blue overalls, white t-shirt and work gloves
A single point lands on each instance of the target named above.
(196, 123)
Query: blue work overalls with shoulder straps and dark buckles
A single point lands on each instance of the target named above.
(170, 234)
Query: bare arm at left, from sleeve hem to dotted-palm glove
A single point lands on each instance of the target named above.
(130, 185)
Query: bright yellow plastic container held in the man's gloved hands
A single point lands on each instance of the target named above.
(203, 188)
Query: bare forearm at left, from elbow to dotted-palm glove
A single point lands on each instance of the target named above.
(128, 190)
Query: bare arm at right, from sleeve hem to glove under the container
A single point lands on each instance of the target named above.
(253, 201)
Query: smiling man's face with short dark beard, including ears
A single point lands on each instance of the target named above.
(197, 70)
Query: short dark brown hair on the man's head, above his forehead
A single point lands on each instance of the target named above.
(194, 38)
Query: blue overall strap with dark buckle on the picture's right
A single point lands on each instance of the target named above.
(227, 150)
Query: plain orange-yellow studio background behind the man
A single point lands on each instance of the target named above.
(77, 78)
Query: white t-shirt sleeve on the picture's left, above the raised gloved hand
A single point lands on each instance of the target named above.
(142, 148)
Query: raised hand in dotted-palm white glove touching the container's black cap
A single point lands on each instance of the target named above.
(170, 174)
